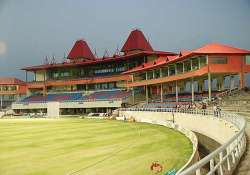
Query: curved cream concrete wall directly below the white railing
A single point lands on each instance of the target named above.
(217, 129)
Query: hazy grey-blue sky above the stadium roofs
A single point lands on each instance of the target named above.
(30, 30)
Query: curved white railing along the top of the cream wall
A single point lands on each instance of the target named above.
(224, 158)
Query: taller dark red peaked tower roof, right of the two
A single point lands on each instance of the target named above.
(136, 41)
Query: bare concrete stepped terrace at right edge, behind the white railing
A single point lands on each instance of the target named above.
(240, 103)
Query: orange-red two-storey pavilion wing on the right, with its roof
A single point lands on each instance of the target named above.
(203, 70)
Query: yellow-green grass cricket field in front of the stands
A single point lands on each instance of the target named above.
(88, 147)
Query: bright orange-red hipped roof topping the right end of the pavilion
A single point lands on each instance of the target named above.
(220, 48)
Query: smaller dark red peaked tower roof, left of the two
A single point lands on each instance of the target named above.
(81, 50)
